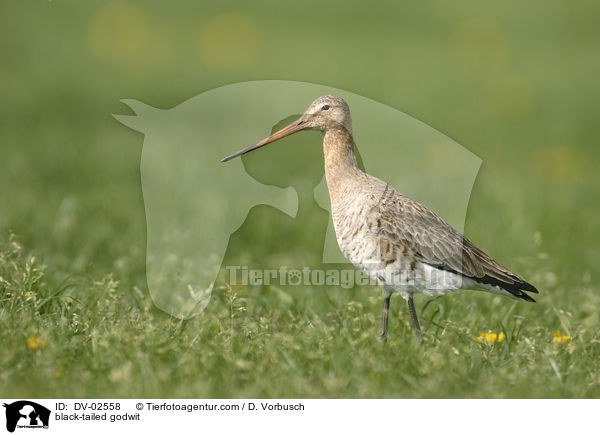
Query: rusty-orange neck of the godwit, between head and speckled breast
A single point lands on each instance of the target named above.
(341, 169)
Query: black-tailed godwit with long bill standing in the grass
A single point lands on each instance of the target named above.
(395, 240)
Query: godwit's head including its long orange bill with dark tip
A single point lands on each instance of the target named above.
(325, 113)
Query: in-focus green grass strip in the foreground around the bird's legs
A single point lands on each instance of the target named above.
(100, 339)
